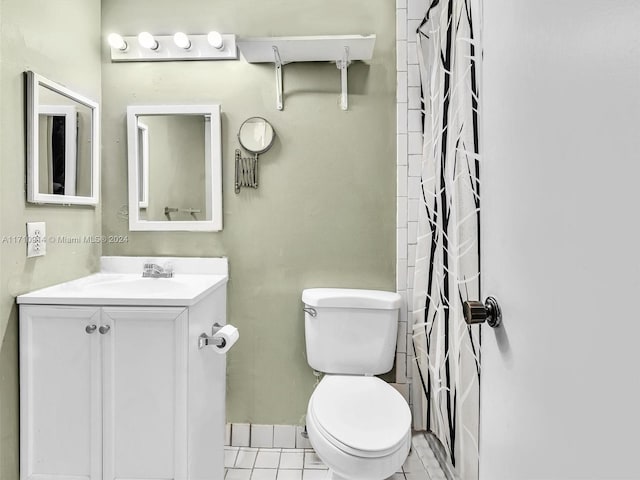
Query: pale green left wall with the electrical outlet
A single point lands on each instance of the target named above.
(60, 40)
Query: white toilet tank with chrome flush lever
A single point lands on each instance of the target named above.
(353, 331)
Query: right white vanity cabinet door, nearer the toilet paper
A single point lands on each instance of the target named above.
(144, 351)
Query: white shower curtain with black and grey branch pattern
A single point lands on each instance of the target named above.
(446, 375)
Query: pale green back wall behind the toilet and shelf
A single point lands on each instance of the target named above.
(325, 211)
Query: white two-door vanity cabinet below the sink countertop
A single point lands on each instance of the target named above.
(121, 391)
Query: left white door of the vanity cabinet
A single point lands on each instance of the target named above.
(60, 388)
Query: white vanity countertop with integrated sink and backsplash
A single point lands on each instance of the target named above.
(113, 287)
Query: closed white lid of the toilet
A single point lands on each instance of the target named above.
(362, 413)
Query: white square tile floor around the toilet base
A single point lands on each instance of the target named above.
(244, 463)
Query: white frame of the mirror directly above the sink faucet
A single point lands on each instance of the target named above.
(213, 171)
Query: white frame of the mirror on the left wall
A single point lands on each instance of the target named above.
(33, 165)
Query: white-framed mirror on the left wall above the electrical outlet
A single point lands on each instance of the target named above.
(62, 144)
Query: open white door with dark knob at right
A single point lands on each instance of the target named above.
(560, 385)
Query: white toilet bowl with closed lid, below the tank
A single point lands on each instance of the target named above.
(359, 426)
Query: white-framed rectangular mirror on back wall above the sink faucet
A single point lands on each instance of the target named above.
(175, 167)
